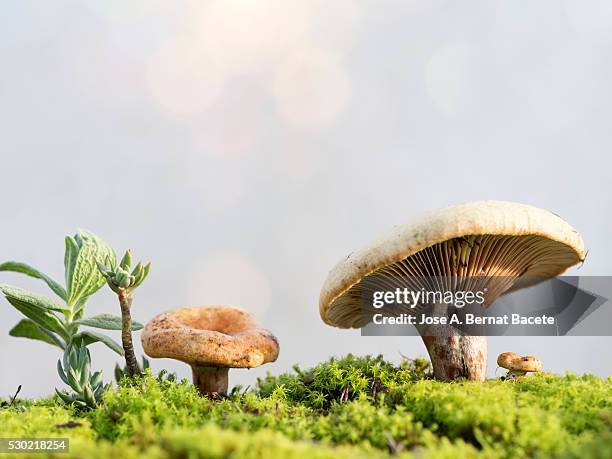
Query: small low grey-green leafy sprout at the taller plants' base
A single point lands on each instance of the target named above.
(76, 372)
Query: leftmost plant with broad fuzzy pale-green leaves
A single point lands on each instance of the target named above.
(58, 322)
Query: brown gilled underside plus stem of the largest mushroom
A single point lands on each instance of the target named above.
(496, 264)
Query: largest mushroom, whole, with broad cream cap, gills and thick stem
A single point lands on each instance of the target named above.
(506, 244)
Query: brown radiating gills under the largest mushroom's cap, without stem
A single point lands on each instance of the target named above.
(498, 263)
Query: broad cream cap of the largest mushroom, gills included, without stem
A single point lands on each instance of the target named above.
(521, 242)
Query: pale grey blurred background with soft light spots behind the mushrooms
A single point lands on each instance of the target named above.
(246, 146)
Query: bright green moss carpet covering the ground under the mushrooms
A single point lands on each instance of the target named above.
(349, 407)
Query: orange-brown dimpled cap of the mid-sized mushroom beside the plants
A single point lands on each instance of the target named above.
(223, 336)
